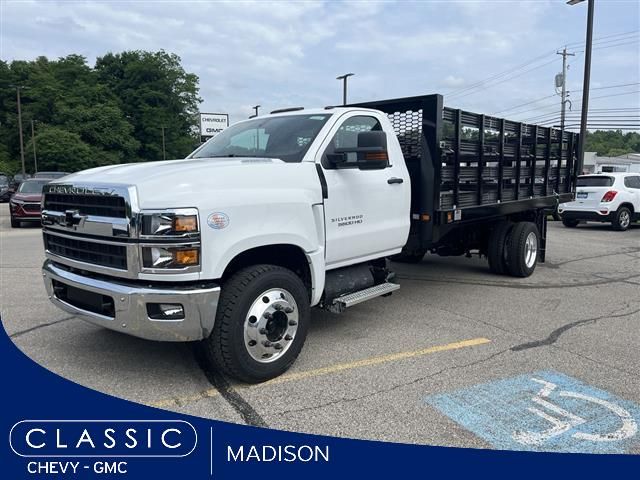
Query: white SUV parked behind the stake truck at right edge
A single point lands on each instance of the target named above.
(604, 197)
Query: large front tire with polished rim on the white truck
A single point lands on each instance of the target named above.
(261, 323)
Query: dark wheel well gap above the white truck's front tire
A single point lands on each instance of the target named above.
(283, 255)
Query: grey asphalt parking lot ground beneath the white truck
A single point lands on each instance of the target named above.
(399, 368)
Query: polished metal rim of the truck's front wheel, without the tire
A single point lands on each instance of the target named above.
(271, 325)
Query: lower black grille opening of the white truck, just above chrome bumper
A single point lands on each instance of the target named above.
(106, 255)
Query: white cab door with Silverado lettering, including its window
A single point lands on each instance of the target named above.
(366, 210)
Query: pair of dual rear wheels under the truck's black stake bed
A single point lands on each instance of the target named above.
(514, 248)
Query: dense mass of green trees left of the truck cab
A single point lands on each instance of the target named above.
(108, 114)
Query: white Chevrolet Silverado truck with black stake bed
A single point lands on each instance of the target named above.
(233, 245)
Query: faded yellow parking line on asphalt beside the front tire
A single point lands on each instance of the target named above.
(340, 367)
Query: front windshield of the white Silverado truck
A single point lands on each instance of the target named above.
(287, 138)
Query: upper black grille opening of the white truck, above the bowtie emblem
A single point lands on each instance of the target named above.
(98, 205)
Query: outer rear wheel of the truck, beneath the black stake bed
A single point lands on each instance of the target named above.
(523, 246)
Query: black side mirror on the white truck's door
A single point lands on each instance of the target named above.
(371, 152)
